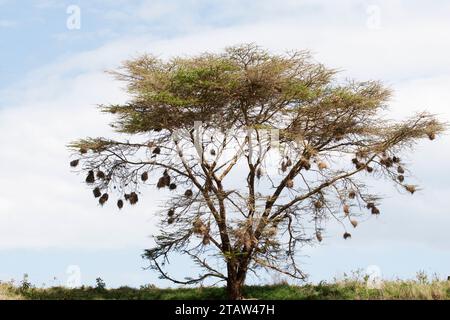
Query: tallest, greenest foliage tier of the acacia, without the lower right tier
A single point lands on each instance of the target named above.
(218, 89)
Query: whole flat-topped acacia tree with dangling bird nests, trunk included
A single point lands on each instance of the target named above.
(211, 128)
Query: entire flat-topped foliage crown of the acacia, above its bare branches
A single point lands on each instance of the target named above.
(247, 87)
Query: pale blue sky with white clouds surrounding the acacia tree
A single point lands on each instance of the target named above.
(52, 77)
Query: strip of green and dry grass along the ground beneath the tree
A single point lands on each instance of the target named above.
(347, 289)
